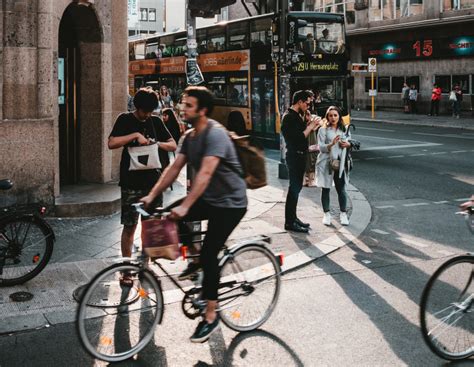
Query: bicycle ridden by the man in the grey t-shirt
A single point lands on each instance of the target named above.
(116, 322)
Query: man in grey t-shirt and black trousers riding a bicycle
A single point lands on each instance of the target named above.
(218, 194)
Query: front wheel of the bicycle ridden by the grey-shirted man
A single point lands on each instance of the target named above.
(115, 321)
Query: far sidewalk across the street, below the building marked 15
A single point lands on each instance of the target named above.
(465, 122)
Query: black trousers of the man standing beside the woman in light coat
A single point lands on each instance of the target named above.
(296, 163)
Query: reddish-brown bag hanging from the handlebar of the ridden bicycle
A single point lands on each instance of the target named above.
(160, 238)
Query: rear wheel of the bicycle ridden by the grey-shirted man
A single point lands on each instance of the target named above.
(249, 287)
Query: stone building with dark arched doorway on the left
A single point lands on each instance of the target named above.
(62, 83)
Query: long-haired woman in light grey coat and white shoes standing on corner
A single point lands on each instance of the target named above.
(331, 143)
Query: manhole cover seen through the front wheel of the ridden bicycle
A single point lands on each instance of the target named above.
(108, 294)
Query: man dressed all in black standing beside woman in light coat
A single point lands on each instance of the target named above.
(295, 131)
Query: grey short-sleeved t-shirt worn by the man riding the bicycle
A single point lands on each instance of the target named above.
(227, 188)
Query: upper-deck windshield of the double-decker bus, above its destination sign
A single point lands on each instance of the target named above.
(321, 37)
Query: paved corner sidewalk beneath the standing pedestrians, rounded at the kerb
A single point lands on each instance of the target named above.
(85, 246)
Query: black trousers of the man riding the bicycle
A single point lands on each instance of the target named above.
(221, 223)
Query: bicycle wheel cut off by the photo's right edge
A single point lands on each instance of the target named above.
(446, 309)
